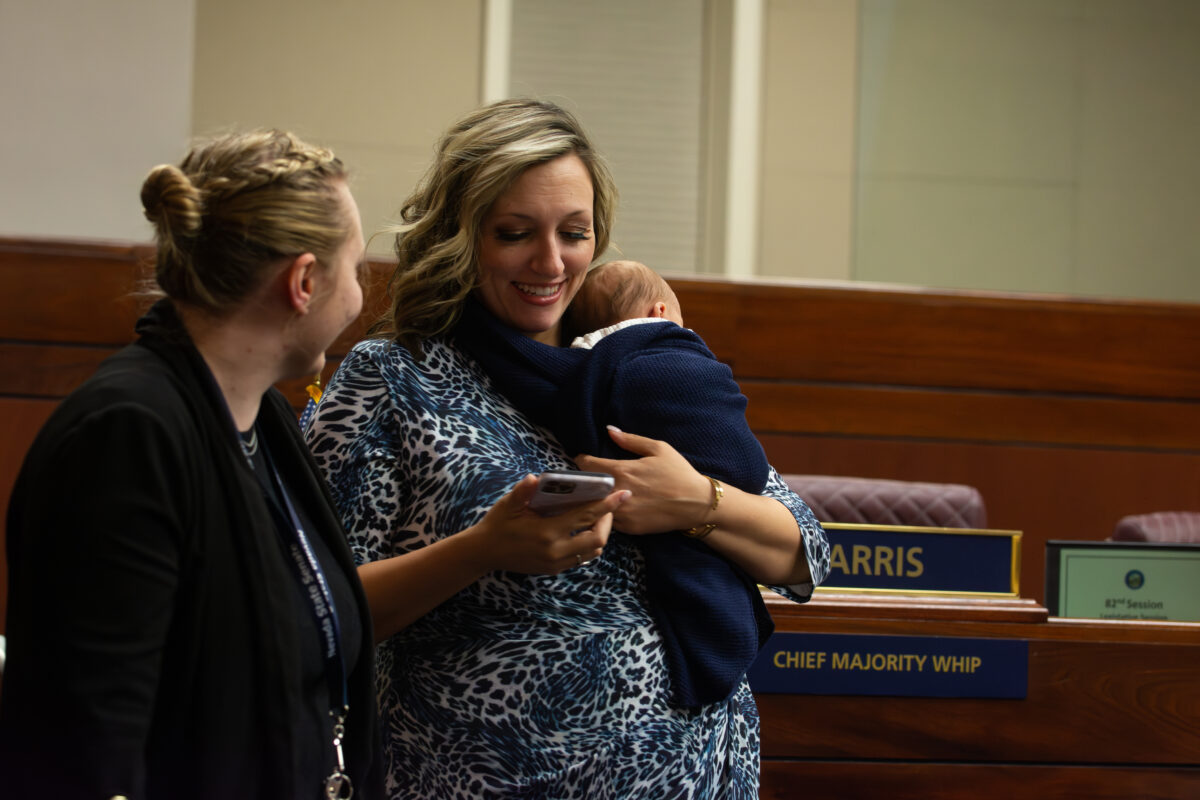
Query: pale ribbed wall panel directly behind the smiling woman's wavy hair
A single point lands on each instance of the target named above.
(634, 81)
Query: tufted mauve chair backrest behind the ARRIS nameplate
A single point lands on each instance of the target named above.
(884, 502)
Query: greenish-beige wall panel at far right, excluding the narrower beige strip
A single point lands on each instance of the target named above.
(1043, 146)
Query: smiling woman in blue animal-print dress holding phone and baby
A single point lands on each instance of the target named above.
(519, 658)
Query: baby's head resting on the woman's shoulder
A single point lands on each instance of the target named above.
(619, 291)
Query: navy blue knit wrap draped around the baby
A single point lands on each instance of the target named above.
(711, 615)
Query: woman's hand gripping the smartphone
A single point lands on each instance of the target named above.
(513, 538)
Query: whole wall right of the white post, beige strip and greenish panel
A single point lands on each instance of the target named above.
(1025, 146)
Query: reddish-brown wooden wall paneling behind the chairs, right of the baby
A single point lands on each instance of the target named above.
(1066, 414)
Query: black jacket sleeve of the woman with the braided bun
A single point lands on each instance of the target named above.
(95, 538)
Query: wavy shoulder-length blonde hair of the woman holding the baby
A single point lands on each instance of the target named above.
(476, 163)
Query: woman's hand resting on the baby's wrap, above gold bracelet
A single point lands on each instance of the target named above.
(668, 492)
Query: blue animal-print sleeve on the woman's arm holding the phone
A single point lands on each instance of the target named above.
(352, 436)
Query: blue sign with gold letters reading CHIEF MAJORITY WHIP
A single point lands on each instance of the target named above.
(899, 666)
